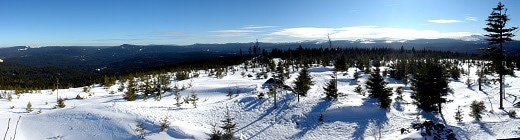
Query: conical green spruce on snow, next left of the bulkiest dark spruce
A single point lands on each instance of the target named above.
(376, 86)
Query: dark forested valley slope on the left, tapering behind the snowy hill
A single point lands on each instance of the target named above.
(14, 76)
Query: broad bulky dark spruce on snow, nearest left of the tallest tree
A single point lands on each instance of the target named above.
(430, 85)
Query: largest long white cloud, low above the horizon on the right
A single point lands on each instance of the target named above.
(360, 32)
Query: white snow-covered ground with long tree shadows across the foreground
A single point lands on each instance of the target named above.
(108, 116)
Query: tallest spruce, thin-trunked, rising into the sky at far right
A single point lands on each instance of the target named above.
(498, 34)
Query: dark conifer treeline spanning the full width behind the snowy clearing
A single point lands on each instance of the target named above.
(34, 78)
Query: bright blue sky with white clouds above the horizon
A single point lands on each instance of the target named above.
(115, 22)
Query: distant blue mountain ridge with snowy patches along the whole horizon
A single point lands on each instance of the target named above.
(116, 58)
